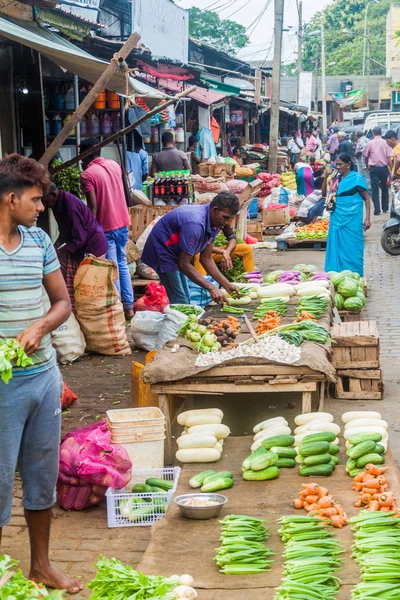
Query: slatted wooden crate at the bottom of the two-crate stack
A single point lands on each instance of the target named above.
(359, 384)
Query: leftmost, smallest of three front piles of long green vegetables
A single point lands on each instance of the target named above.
(242, 550)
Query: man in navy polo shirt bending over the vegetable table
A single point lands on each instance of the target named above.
(182, 233)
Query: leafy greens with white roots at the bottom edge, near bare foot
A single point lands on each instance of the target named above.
(118, 581)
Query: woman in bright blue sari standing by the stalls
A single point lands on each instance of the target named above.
(346, 192)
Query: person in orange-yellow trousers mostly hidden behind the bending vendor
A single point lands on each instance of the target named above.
(226, 248)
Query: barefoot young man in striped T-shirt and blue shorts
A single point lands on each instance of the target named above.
(30, 413)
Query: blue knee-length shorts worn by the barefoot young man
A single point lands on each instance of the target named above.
(30, 427)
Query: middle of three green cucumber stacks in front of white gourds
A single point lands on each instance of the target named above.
(317, 454)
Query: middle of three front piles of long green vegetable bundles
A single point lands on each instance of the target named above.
(311, 559)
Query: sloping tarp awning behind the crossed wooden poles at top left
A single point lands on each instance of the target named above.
(71, 58)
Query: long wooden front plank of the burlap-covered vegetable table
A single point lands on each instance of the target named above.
(180, 387)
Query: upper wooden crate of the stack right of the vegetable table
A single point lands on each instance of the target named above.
(357, 345)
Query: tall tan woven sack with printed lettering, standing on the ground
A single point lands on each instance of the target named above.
(98, 307)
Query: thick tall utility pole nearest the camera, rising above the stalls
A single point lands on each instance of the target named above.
(276, 84)
